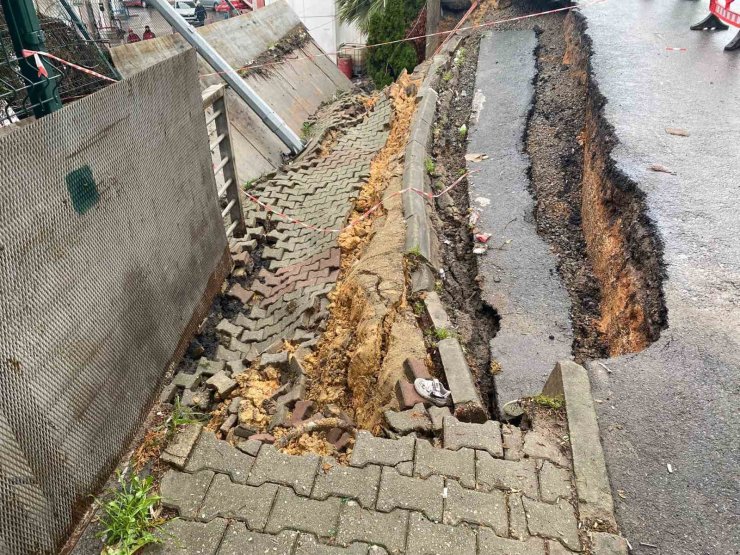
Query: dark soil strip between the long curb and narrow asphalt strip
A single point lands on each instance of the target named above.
(475, 321)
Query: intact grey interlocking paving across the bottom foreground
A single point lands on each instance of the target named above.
(485, 489)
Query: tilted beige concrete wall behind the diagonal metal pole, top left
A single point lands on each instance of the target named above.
(293, 75)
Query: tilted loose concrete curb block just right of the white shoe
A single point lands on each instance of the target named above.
(468, 405)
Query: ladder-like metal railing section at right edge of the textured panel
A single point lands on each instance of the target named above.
(217, 122)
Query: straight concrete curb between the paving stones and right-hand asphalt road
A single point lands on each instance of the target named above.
(589, 466)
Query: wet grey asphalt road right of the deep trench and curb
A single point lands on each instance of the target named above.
(677, 402)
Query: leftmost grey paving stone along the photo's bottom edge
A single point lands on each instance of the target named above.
(183, 537)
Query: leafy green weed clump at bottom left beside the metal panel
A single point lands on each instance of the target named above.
(128, 519)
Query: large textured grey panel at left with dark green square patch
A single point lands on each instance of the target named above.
(111, 245)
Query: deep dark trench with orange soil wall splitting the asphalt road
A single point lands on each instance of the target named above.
(592, 215)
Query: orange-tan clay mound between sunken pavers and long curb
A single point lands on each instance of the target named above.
(361, 353)
